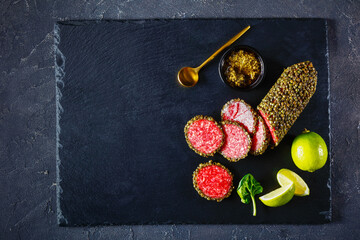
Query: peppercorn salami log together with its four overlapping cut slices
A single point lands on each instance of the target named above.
(243, 129)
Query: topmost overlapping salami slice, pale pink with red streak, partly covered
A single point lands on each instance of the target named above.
(237, 110)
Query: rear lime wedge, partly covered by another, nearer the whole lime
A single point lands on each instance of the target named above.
(286, 177)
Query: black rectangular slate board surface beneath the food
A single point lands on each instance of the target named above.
(122, 157)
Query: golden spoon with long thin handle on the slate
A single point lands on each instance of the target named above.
(188, 76)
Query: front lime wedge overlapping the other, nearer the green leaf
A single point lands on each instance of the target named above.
(278, 197)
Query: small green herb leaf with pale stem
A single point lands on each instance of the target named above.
(247, 189)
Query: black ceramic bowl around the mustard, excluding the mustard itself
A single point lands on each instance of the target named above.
(247, 49)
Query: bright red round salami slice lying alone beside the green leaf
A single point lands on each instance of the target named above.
(213, 181)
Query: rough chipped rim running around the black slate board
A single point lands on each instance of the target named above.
(59, 61)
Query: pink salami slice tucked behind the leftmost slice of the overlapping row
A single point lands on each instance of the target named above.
(237, 141)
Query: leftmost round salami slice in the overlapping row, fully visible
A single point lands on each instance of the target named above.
(204, 135)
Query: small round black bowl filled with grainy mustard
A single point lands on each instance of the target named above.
(242, 67)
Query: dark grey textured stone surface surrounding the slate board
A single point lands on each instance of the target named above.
(27, 115)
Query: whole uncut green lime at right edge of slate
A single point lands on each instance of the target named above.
(309, 151)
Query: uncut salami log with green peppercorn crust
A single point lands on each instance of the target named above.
(287, 99)
